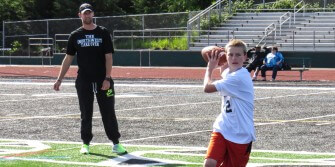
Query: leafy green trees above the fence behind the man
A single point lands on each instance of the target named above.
(15, 10)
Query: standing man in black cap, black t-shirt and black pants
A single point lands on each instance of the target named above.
(93, 46)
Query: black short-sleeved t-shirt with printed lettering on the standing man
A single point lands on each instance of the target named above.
(90, 47)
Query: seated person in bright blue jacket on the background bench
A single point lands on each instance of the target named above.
(273, 61)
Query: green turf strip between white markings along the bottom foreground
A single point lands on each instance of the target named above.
(98, 153)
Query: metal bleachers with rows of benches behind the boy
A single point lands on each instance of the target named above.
(291, 31)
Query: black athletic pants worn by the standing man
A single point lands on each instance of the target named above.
(106, 102)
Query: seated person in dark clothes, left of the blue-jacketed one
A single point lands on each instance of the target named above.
(257, 56)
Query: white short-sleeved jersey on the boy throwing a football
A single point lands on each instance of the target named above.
(235, 121)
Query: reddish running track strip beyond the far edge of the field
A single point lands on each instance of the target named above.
(313, 74)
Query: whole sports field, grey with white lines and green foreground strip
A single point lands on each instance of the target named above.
(163, 122)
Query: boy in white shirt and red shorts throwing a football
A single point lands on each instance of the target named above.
(233, 130)
